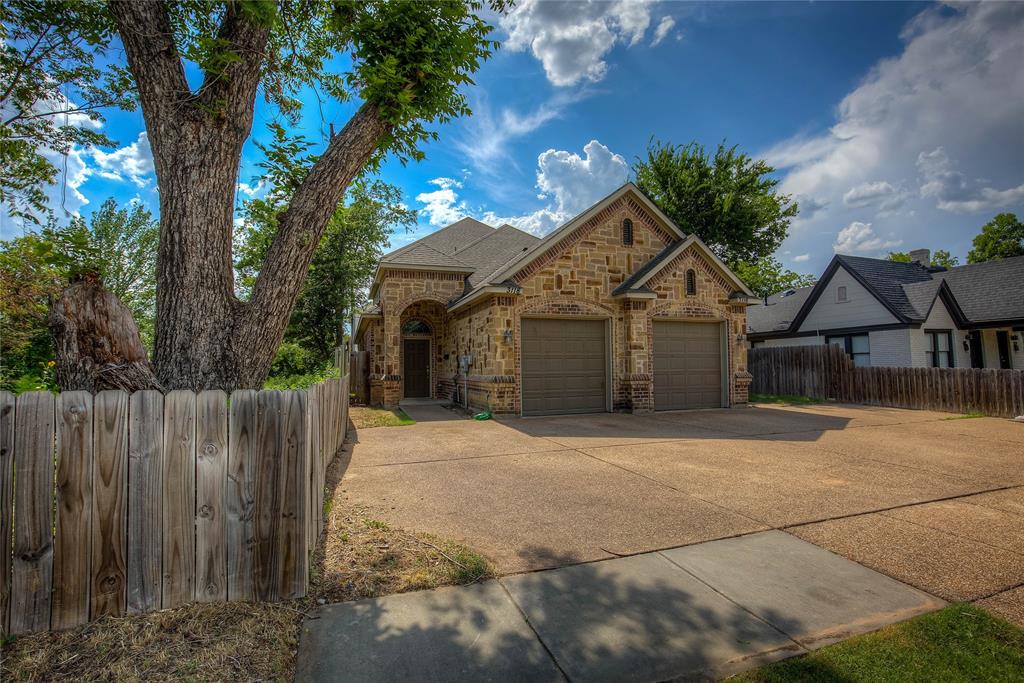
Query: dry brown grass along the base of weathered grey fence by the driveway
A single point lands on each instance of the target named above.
(359, 557)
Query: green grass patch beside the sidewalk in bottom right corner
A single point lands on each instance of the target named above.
(959, 644)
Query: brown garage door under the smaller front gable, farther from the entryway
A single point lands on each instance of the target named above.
(688, 366)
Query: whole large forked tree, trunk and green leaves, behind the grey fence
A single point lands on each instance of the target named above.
(196, 70)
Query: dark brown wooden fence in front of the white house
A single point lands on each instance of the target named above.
(826, 372)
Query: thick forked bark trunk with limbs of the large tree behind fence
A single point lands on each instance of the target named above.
(205, 337)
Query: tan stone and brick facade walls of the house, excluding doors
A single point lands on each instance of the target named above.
(575, 277)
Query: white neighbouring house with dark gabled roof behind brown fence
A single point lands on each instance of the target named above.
(904, 315)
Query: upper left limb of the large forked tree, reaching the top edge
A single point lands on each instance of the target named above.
(154, 59)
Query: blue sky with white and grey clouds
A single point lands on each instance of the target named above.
(897, 126)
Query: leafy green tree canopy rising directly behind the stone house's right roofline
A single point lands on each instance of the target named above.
(727, 198)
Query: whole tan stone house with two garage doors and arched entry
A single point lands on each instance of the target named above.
(618, 310)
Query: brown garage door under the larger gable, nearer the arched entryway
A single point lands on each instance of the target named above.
(564, 367)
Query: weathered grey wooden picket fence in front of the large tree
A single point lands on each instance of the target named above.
(120, 503)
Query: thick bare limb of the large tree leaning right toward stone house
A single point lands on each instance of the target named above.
(303, 226)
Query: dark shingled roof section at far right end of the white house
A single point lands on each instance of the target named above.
(991, 291)
